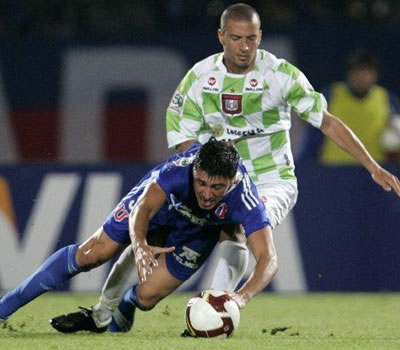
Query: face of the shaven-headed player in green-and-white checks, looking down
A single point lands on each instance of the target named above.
(240, 40)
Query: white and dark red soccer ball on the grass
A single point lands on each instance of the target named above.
(211, 314)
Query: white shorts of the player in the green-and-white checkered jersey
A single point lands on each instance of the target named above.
(279, 198)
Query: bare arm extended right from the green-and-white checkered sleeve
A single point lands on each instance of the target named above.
(344, 137)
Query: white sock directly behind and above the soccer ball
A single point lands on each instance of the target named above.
(231, 265)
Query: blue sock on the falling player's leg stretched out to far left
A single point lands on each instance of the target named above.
(58, 268)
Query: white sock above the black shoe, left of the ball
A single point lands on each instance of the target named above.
(121, 277)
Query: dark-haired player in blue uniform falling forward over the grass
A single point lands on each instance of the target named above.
(191, 195)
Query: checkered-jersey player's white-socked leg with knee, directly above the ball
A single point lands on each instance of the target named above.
(233, 259)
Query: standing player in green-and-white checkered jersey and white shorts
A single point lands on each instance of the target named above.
(245, 95)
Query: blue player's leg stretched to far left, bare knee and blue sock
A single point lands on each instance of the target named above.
(58, 268)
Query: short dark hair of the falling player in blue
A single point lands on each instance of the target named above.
(217, 158)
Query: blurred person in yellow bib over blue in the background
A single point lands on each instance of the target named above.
(367, 108)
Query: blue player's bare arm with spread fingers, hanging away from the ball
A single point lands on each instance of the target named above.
(147, 206)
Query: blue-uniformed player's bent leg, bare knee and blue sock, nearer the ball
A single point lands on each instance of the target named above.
(144, 297)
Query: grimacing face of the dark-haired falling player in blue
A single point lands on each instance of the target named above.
(209, 190)
